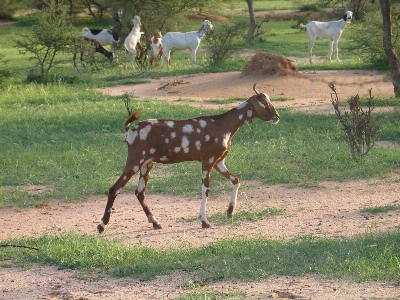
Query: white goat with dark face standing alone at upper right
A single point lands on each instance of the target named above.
(326, 30)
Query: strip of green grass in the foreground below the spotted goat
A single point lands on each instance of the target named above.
(366, 258)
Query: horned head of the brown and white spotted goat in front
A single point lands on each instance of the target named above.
(263, 107)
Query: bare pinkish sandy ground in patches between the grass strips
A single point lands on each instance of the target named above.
(331, 209)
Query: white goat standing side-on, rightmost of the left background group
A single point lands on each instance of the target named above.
(179, 41)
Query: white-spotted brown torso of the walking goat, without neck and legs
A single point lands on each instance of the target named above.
(171, 141)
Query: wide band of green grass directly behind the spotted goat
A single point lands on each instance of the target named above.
(52, 135)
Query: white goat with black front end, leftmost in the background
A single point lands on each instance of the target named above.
(106, 36)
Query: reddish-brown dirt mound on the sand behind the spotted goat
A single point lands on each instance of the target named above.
(265, 63)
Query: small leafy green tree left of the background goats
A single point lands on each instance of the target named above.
(51, 36)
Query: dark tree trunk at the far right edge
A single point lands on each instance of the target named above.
(393, 59)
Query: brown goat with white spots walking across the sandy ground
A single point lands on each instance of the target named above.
(206, 139)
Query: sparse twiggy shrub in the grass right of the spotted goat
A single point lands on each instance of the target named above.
(359, 126)
